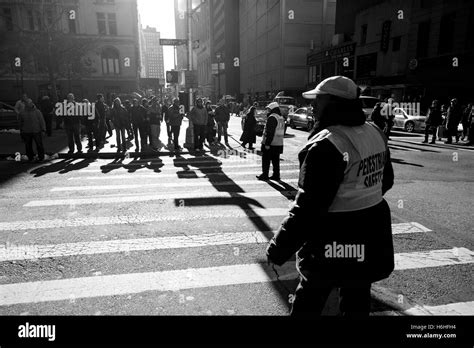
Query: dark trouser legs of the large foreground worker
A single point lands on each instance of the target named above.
(311, 296)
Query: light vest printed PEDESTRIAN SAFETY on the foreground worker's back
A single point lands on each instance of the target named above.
(365, 150)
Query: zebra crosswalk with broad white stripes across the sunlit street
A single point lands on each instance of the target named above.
(187, 239)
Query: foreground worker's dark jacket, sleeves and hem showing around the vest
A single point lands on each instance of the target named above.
(309, 227)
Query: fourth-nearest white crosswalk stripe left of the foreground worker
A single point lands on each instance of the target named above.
(155, 197)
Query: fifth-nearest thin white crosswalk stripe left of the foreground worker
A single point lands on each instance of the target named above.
(163, 184)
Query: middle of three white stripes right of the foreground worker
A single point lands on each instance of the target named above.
(433, 258)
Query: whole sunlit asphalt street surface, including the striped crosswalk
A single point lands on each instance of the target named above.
(186, 235)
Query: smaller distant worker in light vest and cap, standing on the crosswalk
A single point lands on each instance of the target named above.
(272, 142)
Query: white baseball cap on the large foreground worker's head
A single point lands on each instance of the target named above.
(339, 86)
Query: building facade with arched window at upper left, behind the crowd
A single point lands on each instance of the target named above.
(78, 46)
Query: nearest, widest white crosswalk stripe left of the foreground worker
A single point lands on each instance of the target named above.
(113, 285)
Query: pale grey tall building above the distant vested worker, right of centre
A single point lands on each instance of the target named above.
(275, 38)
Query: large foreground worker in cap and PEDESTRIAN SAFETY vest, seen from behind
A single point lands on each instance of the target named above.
(339, 223)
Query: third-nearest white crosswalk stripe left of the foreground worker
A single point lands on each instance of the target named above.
(182, 214)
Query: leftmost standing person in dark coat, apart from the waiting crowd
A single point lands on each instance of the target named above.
(32, 125)
